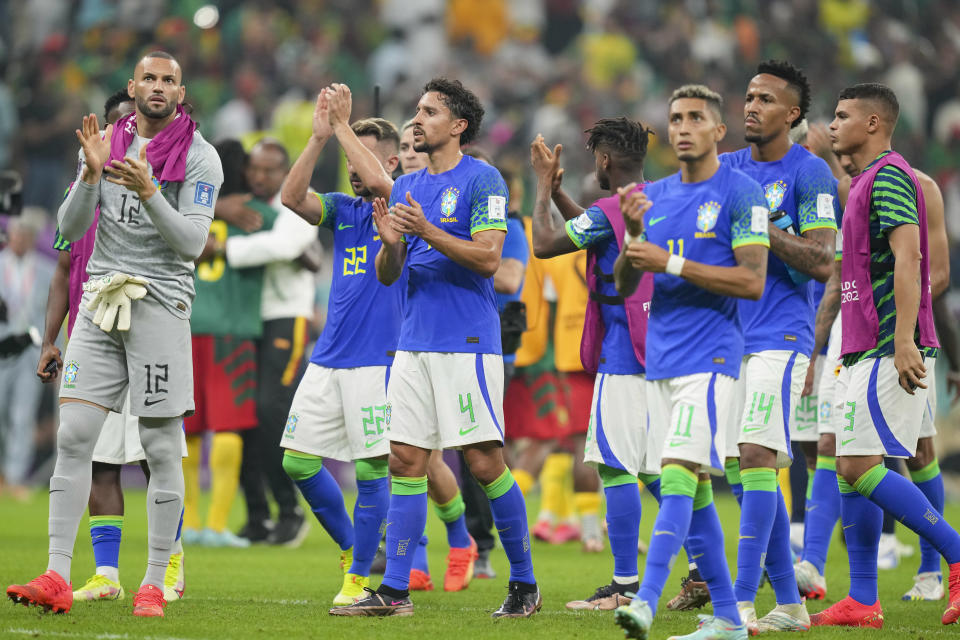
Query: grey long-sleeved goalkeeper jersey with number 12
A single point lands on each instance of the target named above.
(129, 241)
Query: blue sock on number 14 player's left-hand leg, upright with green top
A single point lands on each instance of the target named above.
(757, 512)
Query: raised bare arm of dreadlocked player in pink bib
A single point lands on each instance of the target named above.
(549, 233)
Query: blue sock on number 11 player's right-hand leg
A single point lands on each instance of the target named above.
(706, 544)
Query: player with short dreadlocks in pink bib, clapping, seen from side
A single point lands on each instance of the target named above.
(613, 336)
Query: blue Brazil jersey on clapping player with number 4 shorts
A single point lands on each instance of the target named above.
(450, 308)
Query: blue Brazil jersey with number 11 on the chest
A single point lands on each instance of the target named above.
(692, 330)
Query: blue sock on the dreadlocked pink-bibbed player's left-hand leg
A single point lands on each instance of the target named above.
(623, 523)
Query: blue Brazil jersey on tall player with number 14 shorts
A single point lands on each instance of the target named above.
(801, 184)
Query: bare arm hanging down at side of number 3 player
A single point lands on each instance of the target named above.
(905, 246)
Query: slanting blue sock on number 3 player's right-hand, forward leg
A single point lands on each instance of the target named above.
(907, 503)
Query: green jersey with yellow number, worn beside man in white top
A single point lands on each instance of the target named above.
(228, 299)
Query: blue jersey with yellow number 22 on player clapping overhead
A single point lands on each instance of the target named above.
(363, 316)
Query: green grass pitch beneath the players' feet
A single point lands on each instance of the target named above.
(265, 592)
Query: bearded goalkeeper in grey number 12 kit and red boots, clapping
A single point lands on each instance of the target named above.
(155, 180)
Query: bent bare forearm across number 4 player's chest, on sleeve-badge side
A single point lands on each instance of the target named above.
(480, 254)
